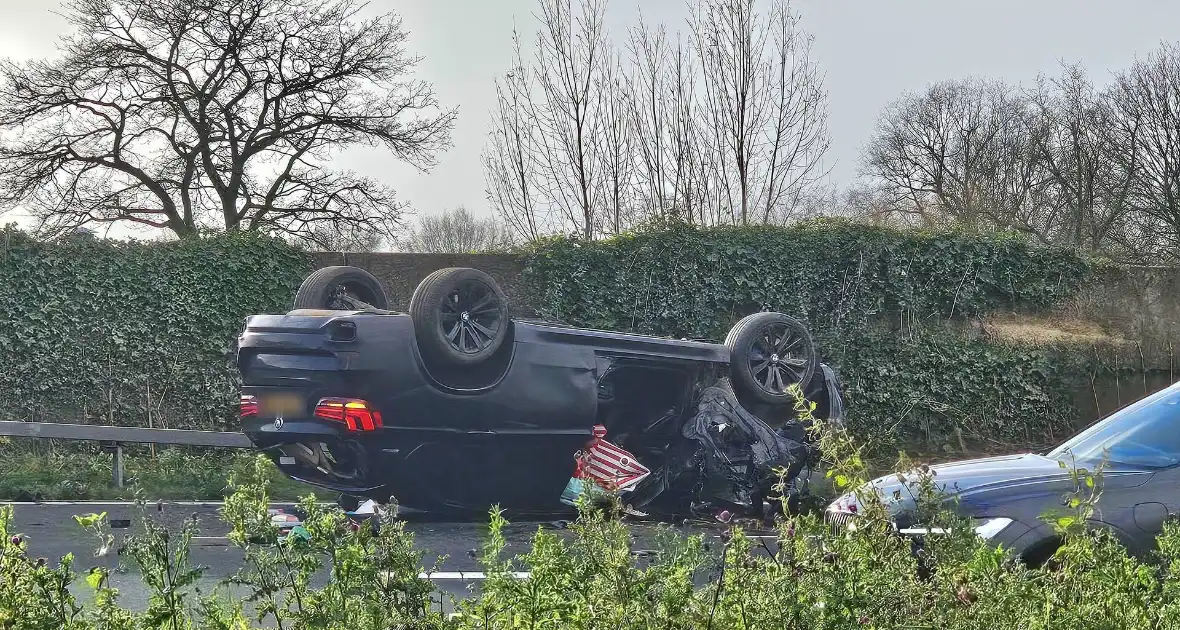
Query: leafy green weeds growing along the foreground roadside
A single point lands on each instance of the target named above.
(591, 577)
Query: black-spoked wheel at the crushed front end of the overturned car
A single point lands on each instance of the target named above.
(769, 353)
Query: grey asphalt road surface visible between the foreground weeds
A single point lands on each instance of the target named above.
(53, 533)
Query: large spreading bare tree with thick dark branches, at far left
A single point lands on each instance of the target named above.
(193, 115)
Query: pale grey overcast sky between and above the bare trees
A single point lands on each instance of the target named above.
(870, 50)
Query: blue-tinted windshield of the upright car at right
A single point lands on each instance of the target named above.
(1145, 435)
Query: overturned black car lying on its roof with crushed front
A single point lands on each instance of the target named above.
(456, 408)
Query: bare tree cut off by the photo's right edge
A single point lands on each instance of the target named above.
(1145, 124)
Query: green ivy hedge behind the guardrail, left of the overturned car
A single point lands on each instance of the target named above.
(108, 331)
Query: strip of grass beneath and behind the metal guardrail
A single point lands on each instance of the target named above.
(35, 472)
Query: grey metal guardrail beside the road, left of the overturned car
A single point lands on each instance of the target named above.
(119, 436)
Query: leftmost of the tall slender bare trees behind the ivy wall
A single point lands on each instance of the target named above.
(545, 162)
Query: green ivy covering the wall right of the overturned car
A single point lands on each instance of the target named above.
(877, 300)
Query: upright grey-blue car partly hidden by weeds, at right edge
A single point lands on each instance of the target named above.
(1007, 496)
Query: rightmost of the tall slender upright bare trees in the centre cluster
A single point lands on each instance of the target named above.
(765, 102)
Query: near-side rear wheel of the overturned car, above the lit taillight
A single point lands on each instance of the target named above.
(461, 316)
